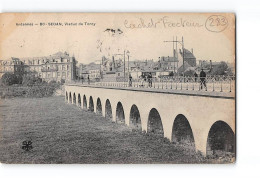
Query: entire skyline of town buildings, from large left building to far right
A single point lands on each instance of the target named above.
(61, 66)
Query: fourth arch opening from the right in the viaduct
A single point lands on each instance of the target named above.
(135, 118)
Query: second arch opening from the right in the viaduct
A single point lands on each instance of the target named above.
(182, 132)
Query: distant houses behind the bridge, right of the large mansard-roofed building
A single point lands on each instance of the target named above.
(113, 68)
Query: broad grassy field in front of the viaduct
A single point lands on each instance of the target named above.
(63, 133)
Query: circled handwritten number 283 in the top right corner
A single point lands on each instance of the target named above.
(216, 23)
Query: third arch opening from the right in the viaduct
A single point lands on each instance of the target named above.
(154, 124)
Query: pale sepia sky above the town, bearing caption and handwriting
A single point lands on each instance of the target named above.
(142, 34)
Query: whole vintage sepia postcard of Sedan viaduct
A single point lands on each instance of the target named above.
(117, 88)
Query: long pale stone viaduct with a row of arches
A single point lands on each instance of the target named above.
(194, 113)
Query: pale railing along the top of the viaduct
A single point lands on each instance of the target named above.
(208, 84)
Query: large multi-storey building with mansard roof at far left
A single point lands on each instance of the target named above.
(57, 67)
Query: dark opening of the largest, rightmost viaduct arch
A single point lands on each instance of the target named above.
(221, 139)
